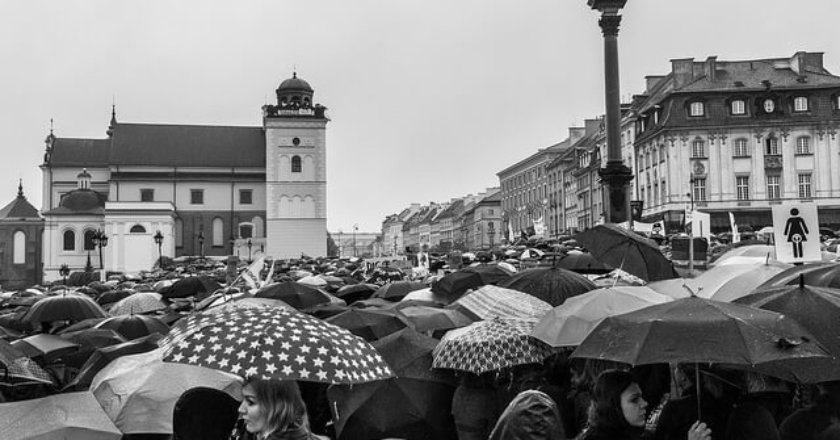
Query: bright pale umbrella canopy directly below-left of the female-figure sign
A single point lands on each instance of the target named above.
(726, 283)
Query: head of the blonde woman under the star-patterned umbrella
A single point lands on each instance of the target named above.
(270, 405)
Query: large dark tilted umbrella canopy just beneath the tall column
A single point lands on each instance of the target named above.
(626, 250)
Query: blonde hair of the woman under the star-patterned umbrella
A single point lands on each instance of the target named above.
(282, 404)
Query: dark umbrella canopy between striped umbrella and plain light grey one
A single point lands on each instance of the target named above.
(550, 284)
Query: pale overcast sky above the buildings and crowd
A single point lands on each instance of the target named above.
(428, 99)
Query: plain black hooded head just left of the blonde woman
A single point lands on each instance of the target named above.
(204, 414)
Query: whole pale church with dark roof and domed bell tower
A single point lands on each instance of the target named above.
(208, 190)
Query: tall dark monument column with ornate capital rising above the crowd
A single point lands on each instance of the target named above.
(615, 175)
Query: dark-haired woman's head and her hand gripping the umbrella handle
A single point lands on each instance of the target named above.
(618, 410)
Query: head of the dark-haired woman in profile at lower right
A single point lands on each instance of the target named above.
(617, 402)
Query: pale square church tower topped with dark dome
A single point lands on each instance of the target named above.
(296, 172)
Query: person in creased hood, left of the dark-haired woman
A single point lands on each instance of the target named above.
(531, 415)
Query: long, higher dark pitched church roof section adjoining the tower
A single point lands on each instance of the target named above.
(188, 145)
